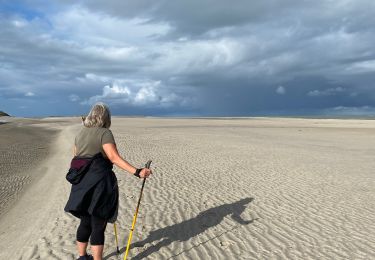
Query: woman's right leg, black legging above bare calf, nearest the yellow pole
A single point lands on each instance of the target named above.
(97, 237)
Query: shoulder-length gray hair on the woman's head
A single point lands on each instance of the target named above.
(99, 116)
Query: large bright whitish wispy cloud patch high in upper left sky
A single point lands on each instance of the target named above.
(98, 28)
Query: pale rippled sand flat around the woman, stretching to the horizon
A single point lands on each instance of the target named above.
(250, 188)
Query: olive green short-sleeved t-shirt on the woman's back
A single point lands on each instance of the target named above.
(89, 141)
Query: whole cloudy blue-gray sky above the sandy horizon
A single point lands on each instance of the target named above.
(188, 57)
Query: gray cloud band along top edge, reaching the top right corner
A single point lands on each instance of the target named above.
(197, 17)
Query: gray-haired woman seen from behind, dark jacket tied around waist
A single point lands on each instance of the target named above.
(95, 198)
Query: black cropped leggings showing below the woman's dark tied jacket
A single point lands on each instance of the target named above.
(92, 227)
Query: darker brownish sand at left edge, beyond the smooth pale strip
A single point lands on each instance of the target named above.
(23, 146)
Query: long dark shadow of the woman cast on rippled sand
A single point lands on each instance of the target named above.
(187, 229)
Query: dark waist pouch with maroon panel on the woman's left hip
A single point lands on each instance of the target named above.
(79, 167)
